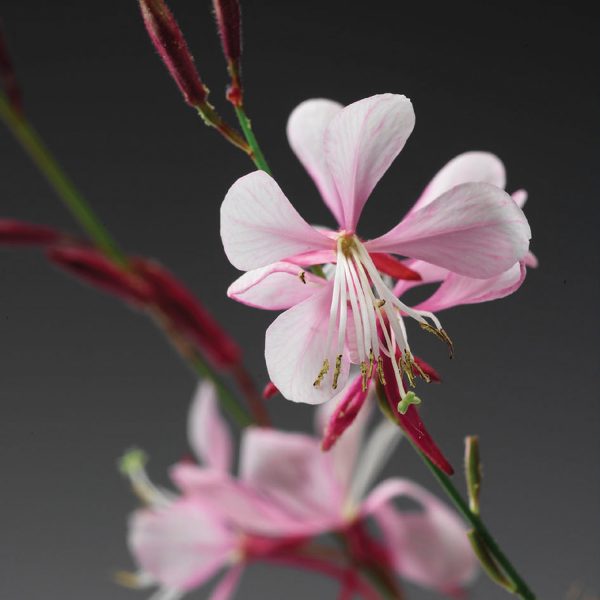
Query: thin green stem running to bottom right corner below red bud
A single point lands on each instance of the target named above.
(520, 587)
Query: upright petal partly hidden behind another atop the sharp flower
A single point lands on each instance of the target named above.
(306, 131)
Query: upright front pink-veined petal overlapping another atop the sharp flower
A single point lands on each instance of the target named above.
(360, 144)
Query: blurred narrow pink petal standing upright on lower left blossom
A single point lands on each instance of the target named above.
(208, 433)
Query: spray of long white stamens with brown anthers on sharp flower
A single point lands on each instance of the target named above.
(361, 294)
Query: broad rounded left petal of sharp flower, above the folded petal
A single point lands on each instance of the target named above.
(259, 226)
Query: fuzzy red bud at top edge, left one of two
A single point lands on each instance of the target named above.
(172, 48)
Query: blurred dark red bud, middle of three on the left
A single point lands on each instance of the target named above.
(92, 267)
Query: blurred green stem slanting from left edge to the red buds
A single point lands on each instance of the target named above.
(72, 199)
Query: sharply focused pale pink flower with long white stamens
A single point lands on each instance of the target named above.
(472, 229)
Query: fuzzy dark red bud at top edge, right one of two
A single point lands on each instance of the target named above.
(227, 13)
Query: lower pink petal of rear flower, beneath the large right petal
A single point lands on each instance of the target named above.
(458, 289)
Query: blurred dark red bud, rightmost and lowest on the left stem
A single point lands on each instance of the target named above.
(187, 314)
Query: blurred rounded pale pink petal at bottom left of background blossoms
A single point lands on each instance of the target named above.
(182, 545)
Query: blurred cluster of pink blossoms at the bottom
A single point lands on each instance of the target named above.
(287, 490)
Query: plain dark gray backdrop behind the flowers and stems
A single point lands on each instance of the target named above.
(82, 378)
